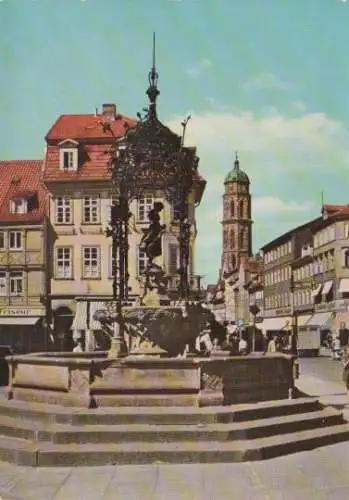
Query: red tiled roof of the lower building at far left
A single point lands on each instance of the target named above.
(21, 178)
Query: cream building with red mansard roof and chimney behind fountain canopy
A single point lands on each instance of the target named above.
(77, 177)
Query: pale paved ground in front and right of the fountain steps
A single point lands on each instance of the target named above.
(313, 475)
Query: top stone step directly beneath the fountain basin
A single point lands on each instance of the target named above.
(43, 413)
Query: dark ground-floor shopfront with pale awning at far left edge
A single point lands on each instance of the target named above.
(23, 329)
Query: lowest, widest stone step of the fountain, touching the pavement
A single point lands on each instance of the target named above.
(48, 454)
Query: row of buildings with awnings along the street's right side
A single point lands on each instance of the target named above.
(307, 275)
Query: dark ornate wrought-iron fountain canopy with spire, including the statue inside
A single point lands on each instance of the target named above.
(148, 157)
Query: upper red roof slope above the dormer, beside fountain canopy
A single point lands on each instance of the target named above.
(82, 127)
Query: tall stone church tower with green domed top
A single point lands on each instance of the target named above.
(237, 222)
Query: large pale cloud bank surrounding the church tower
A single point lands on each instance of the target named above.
(289, 158)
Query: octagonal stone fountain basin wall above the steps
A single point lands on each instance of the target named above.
(90, 380)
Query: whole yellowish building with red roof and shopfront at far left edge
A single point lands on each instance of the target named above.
(23, 256)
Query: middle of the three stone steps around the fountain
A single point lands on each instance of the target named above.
(122, 433)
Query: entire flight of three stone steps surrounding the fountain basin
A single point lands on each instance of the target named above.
(47, 435)
